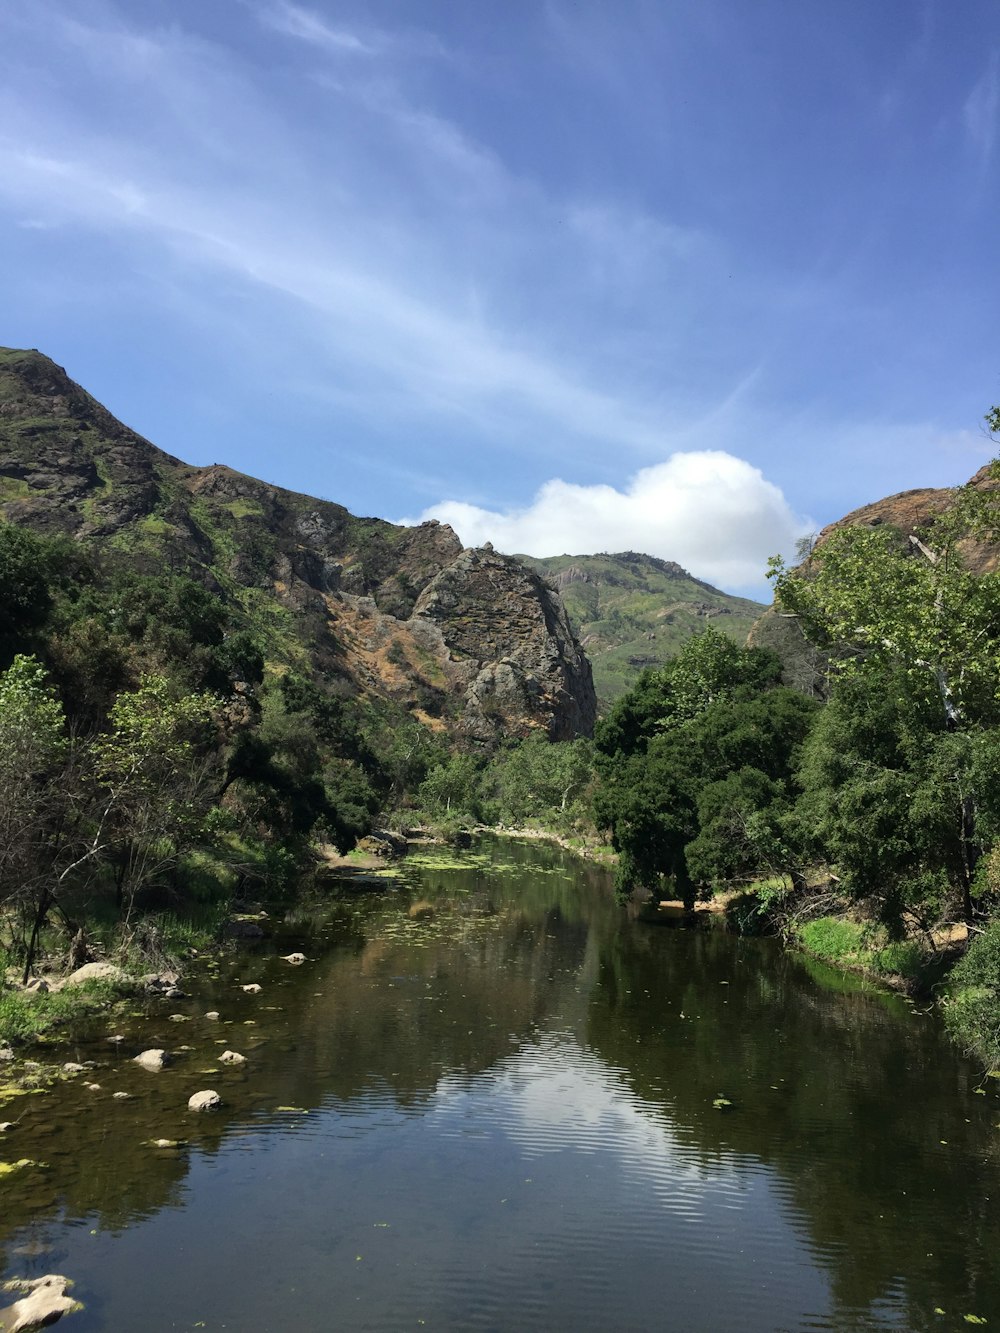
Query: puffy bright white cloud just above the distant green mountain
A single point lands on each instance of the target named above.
(714, 514)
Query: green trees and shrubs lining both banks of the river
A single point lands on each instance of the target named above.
(167, 752)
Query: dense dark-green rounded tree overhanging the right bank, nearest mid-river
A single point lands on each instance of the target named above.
(697, 766)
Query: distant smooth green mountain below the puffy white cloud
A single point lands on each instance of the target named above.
(633, 611)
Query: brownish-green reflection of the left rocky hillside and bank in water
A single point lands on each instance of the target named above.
(403, 999)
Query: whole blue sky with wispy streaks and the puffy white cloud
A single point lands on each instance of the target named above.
(683, 277)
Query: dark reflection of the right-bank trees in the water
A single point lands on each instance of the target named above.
(843, 1095)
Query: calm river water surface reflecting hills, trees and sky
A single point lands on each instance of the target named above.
(487, 1103)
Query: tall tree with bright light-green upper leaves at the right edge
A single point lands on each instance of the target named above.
(913, 638)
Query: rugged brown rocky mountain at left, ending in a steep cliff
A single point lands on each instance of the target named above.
(467, 641)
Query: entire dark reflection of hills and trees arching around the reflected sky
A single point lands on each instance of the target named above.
(843, 1098)
